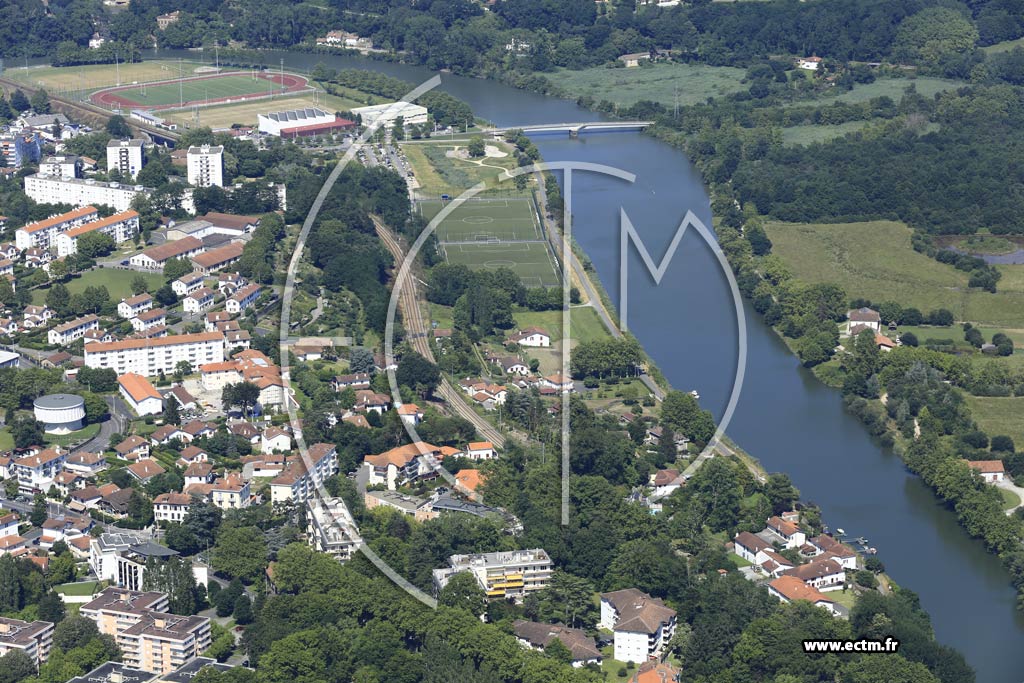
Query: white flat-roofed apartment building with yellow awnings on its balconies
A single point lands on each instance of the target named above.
(502, 575)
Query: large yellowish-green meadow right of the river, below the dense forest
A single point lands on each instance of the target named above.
(876, 261)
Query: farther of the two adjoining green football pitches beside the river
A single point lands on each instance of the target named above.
(481, 221)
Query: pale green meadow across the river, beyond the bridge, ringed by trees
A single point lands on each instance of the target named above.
(661, 83)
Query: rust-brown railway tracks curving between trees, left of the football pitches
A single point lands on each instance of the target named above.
(418, 333)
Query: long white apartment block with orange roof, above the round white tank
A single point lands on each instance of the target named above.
(149, 357)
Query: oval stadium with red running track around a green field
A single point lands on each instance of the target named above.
(197, 91)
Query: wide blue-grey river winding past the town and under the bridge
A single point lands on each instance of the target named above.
(785, 417)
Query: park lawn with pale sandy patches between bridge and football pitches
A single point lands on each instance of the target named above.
(440, 173)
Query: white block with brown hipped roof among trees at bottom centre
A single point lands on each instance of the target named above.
(642, 625)
